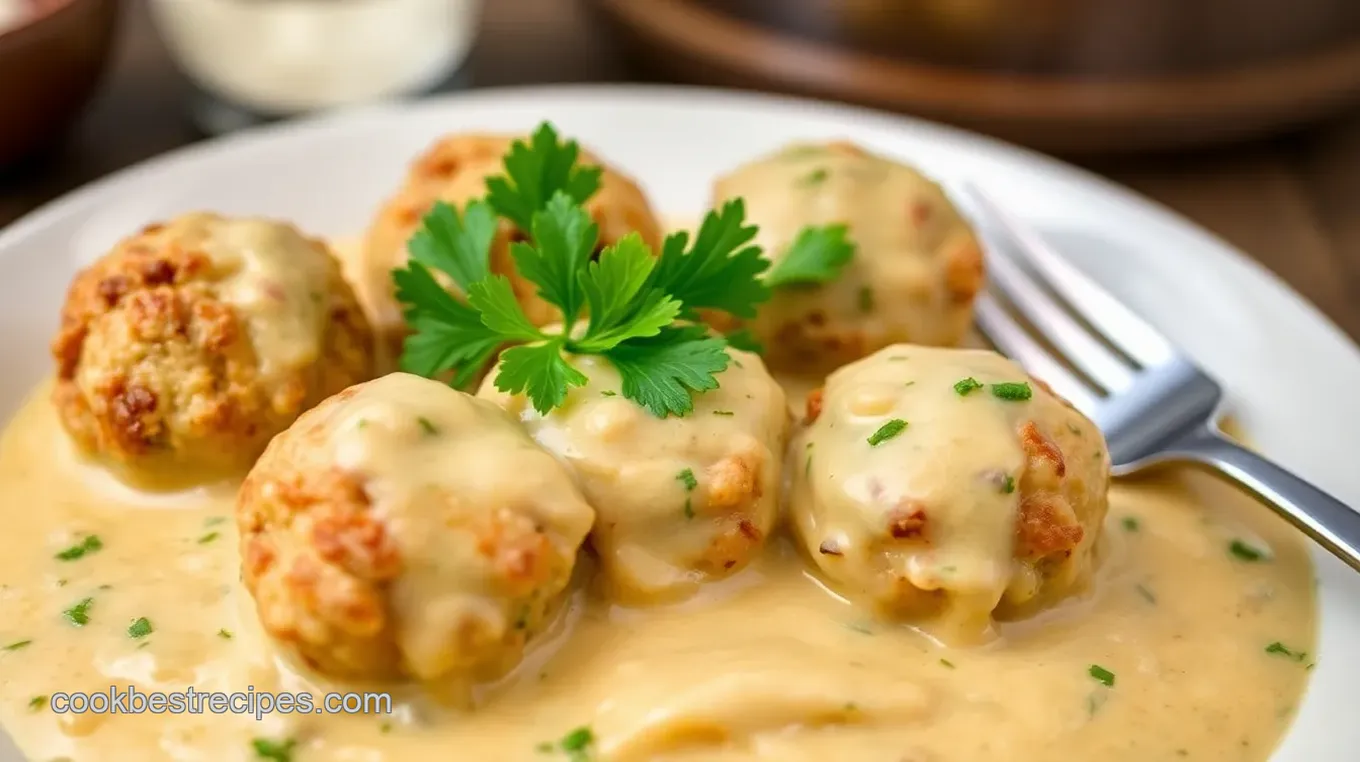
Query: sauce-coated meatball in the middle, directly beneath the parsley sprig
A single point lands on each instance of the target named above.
(681, 500)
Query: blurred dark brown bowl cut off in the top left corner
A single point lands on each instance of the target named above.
(50, 66)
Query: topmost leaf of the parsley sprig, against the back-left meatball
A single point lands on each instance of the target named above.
(537, 172)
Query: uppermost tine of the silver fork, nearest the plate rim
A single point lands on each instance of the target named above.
(1135, 337)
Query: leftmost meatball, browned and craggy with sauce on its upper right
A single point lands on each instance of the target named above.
(192, 344)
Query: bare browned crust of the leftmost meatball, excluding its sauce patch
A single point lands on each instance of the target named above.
(156, 367)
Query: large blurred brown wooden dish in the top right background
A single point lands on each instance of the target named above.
(1071, 77)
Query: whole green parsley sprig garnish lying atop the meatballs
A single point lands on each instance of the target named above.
(622, 303)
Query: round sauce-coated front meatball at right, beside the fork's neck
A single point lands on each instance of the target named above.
(949, 486)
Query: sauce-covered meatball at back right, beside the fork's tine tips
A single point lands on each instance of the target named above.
(917, 265)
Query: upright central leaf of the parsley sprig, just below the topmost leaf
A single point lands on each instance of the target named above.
(564, 240)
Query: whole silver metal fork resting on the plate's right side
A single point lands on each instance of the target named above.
(1154, 406)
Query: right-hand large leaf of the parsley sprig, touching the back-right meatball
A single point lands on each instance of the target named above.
(720, 270)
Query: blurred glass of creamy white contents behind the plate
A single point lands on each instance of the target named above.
(269, 59)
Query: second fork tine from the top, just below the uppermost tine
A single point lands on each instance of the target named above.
(1053, 322)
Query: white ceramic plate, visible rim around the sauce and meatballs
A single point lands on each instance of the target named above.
(1291, 375)
